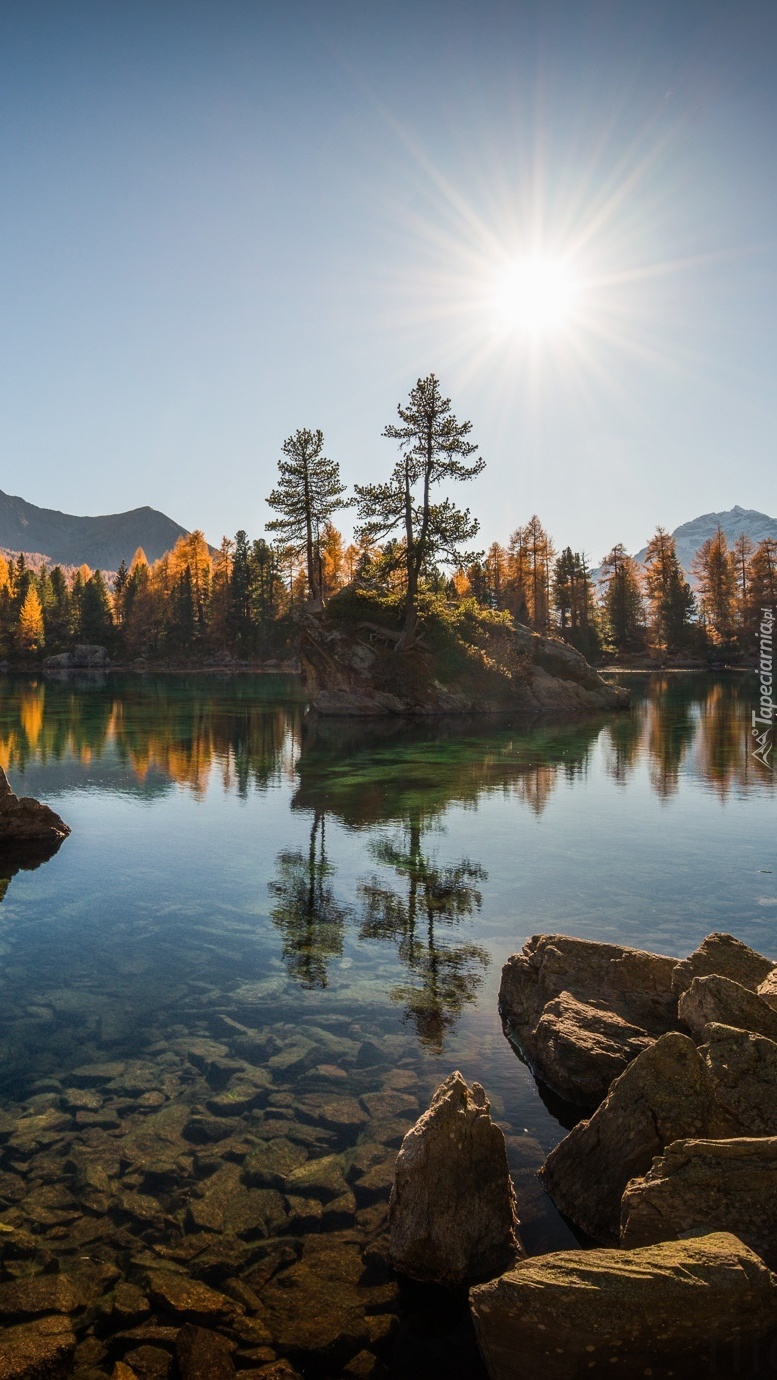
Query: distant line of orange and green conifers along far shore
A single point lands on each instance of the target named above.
(194, 607)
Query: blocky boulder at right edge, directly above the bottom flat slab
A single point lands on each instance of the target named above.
(707, 1186)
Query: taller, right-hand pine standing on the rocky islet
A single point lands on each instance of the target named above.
(434, 449)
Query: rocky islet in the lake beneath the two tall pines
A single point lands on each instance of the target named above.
(357, 671)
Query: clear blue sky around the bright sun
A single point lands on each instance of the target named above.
(223, 221)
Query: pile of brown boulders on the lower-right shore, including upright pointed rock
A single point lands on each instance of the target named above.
(673, 1178)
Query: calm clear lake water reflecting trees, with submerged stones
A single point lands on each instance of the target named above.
(311, 920)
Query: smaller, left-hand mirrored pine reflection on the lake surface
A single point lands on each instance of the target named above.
(307, 911)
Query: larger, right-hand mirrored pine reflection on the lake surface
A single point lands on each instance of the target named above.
(444, 976)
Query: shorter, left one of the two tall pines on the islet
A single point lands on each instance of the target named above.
(308, 493)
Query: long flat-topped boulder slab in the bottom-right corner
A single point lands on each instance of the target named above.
(655, 1312)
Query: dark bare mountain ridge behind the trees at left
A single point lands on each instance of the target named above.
(101, 543)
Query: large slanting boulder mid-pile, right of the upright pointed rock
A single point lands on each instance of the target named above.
(665, 1095)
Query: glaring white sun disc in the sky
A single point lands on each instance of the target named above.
(538, 296)
